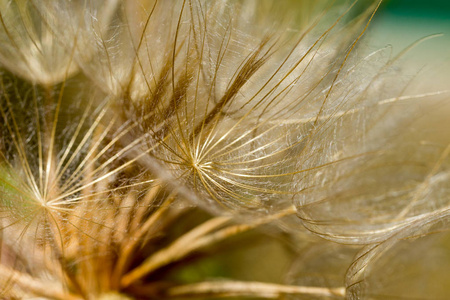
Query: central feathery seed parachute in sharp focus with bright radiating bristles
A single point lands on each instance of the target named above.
(218, 106)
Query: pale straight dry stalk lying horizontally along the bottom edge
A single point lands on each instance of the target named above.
(249, 289)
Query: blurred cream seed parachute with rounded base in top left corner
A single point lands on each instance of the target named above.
(32, 45)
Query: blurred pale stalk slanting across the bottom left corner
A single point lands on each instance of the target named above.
(37, 287)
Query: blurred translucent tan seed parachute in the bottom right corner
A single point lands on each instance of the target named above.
(415, 257)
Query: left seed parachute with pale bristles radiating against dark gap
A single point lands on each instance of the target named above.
(53, 179)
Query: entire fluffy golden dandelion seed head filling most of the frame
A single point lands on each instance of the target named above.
(200, 107)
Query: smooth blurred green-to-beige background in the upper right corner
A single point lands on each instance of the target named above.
(400, 23)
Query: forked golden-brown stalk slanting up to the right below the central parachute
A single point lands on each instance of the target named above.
(194, 240)
